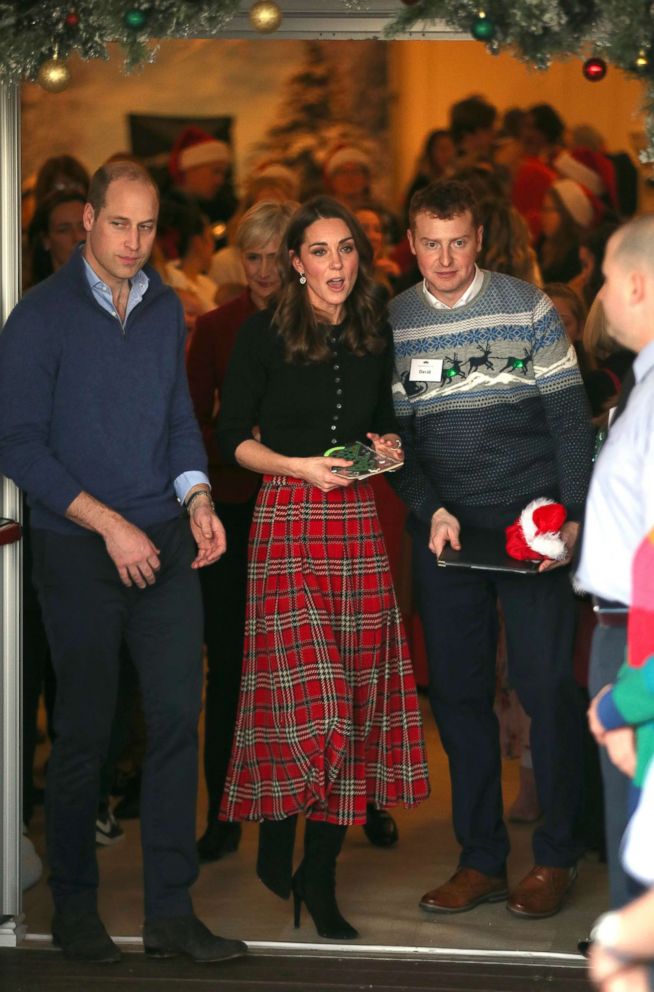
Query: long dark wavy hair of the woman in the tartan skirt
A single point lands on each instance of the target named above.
(298, 323)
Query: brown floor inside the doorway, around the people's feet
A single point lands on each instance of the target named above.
(378, 889)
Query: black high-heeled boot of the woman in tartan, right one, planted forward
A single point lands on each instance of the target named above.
(314, 883)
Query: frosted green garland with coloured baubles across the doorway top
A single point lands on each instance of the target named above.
(36, 36)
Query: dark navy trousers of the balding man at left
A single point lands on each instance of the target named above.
(88, 613)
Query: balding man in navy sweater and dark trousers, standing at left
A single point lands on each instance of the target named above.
(96, 425)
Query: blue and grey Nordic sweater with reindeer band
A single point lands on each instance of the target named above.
(508, 421)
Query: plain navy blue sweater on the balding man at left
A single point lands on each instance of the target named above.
(87, 404)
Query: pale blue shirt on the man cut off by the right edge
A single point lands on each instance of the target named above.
(620, 507)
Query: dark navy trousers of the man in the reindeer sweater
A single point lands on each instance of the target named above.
(458, 608)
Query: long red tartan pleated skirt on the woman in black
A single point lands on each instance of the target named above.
(328, 714)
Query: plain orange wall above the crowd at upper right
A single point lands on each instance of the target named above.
(428, 76)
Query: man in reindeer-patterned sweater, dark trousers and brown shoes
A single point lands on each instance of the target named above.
(492, 414)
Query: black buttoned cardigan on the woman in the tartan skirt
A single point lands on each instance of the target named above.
(302, 409)
